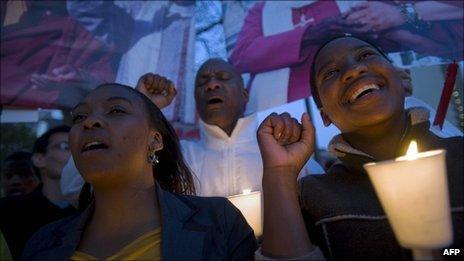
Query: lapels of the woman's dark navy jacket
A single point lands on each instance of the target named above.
(180, 239)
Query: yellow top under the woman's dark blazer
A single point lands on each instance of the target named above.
(146, 247)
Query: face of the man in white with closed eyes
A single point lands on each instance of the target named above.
(219, 93)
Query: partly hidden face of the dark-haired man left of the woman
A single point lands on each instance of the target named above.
(54, 159)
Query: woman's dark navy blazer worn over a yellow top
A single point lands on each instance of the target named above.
(193, 228)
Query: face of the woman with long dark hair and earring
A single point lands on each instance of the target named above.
(111, 136)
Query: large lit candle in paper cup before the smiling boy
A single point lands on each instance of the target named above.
(413, 192)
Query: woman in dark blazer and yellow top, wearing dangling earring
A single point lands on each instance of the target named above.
(142, 208)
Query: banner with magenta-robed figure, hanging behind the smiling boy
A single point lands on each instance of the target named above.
(274, 41)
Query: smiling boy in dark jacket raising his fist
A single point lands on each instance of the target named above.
(362, 93)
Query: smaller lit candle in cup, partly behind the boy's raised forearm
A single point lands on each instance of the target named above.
(249, 203)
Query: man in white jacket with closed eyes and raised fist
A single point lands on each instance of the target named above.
(226, 158)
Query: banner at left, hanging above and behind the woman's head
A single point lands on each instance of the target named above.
(54, 52)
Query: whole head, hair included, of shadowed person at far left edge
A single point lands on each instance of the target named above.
(18, 174)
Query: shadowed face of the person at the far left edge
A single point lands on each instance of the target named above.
(18, 178)
